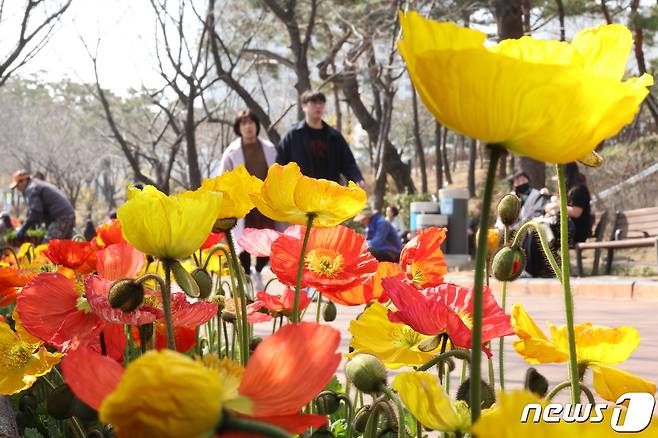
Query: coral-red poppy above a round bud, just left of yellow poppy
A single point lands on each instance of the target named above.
(119, 260)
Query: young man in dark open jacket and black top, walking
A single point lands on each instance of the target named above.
(318, 149)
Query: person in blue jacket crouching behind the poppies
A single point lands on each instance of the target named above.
(384, 242)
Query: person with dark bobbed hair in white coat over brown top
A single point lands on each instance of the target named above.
(257, 155)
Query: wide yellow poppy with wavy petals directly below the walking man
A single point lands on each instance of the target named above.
(289, 196)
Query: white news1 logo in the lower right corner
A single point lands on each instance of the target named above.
(638, 414)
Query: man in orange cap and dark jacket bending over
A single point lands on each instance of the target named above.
(45, 203)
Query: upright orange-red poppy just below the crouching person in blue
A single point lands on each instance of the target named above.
(422, 259)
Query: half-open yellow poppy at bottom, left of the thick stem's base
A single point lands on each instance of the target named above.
(425, 398)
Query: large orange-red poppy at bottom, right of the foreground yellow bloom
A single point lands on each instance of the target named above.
(287, 370)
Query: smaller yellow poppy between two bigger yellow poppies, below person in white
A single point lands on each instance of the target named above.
(236, 186)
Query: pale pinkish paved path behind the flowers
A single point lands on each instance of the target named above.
(643, 315)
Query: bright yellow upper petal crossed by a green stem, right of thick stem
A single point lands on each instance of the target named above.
(595, 343)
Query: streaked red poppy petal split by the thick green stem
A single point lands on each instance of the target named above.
(495, 322)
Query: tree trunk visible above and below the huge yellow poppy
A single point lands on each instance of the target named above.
(509, 20)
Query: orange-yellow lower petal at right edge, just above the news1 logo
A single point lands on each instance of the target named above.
(611, 382)
